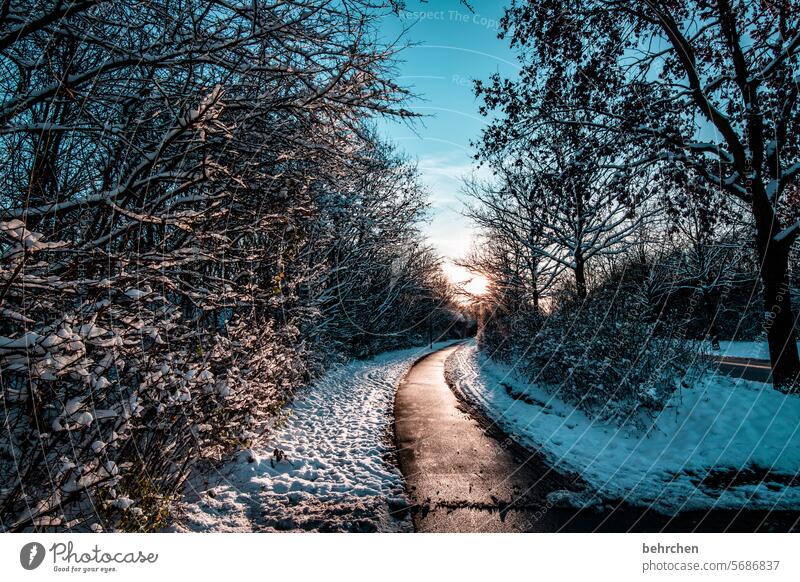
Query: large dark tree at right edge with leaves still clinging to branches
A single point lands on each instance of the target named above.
(710, 87)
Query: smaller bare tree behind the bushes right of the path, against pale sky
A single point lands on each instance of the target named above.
(563, 200)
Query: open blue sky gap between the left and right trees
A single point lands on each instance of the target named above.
(451, 47)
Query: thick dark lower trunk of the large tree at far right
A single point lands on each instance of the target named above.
(780, 321)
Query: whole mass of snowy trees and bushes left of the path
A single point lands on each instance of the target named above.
(196, 219)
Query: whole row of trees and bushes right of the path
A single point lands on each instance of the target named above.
(644, 194)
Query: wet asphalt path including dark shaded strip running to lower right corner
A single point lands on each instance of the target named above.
(464, 475)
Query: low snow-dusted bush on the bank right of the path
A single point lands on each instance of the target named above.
(599, 354)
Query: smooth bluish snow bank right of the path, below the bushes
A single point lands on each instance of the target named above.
(687, 459)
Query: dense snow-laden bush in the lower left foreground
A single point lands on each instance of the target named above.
(109, 403)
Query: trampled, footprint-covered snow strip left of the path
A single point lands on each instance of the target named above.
(338, 474)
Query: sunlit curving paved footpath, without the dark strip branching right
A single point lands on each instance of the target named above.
(461, 478)
